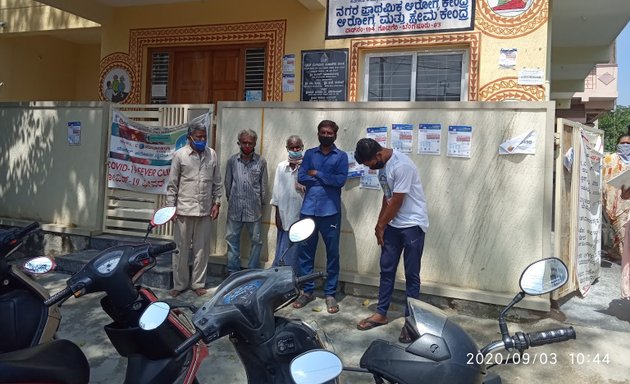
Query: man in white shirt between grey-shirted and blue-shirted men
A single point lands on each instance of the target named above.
(287, 197)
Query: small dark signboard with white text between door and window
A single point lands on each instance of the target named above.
(324, 75)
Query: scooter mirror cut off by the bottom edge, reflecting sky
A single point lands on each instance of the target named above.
(315, 366)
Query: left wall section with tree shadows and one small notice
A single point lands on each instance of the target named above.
(44, 177)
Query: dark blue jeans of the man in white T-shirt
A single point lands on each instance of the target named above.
(410, 242)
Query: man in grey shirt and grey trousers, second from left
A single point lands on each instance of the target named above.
(245, 190)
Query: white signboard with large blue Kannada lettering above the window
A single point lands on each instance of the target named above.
(353, 18)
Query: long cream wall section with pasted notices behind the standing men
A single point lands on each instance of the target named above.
(490, 215)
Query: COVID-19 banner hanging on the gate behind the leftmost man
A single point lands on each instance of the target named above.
(140, 156)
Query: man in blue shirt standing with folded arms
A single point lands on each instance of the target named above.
(323, 172)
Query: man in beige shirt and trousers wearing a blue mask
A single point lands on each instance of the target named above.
(194, 187)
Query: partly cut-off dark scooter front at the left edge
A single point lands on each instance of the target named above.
(24, 318)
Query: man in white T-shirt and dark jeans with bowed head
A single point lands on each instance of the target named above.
(402, 223)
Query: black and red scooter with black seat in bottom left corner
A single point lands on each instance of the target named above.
(149, 354)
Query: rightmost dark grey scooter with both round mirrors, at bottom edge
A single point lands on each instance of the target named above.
(441, 351)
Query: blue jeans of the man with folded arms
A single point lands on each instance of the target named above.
(330, 228)
